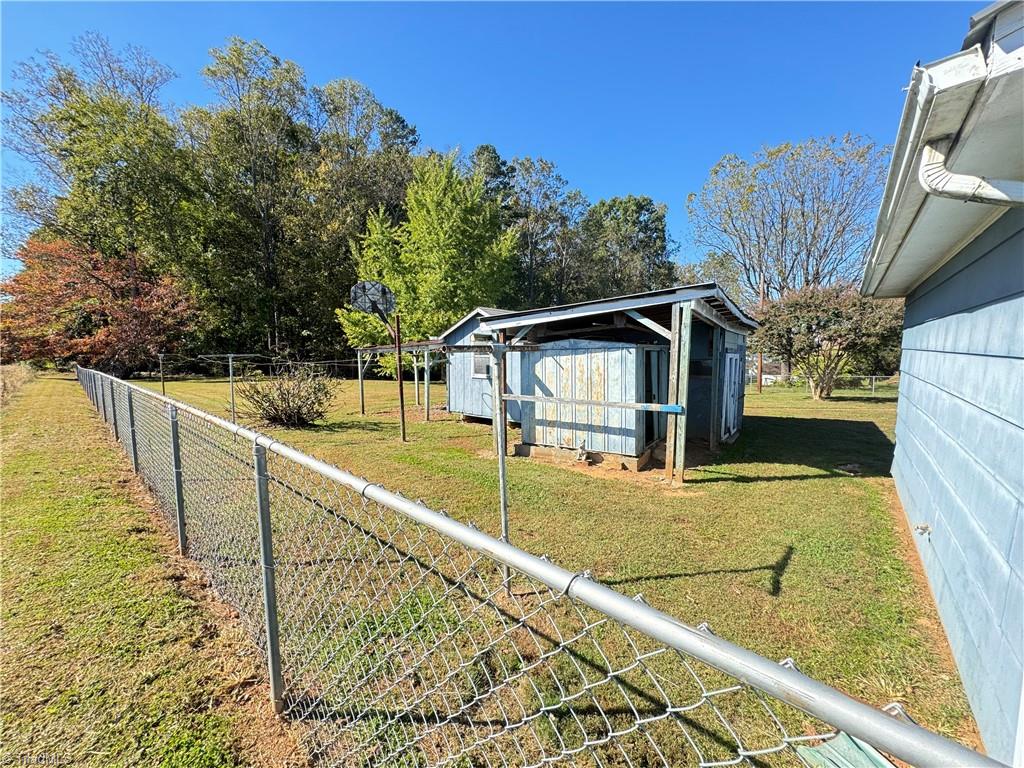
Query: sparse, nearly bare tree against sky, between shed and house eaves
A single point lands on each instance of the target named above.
(794, 217)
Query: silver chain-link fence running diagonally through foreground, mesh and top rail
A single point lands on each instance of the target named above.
(390, 629)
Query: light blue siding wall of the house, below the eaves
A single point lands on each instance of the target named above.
(959, 463)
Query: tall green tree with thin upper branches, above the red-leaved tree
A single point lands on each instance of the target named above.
(108, 178)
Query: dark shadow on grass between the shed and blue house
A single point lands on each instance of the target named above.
(838, 448)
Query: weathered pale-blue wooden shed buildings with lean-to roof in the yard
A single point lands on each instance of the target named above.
(604, 377)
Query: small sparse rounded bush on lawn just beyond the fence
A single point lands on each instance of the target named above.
(292, 397)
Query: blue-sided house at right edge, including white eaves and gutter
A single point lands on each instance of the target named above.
(951, 240)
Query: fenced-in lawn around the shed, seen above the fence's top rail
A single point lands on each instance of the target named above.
(775, 545)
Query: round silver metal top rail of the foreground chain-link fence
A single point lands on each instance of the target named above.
(901, 739)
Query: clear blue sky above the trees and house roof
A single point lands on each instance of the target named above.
(625, 99)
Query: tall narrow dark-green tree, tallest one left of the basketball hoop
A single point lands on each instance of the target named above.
(250, 148)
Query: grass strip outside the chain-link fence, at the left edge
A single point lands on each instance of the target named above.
(114, 653)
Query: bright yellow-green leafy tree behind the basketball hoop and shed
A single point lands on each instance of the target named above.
(450, 255)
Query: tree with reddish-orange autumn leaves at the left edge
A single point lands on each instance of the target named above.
(68, 305)
